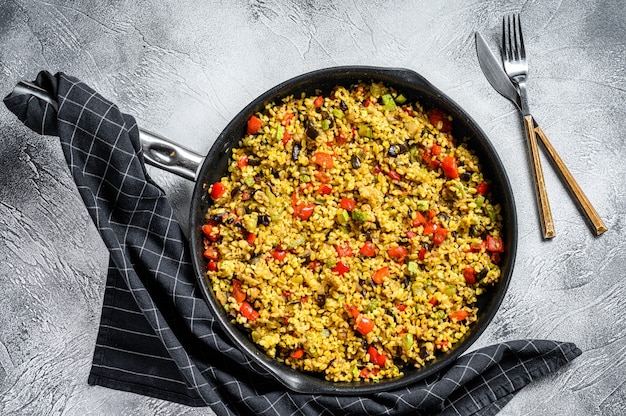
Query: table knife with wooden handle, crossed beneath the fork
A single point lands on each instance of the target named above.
(500, 81)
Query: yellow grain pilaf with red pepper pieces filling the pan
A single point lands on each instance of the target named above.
(353, 234)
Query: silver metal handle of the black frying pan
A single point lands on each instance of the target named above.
(158, 151)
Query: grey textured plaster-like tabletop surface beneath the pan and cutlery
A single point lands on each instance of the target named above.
(185, 68)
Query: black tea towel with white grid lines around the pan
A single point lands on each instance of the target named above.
(157, 336)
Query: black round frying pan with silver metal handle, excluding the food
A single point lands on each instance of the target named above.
(205, 171)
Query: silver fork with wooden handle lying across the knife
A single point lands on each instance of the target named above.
(516, 67)
